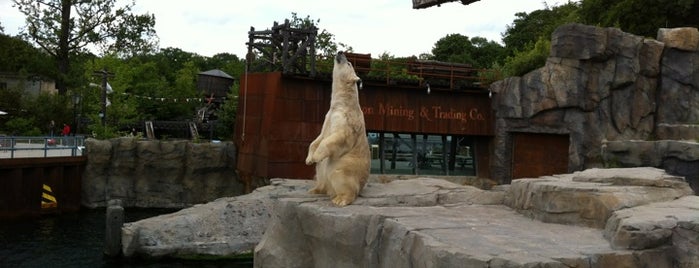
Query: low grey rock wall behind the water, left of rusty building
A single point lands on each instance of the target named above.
(158, 174)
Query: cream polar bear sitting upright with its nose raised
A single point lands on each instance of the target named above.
(341, 151)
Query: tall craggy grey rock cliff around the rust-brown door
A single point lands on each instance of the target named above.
(602, 84)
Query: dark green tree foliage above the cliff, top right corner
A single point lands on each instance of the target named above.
(640, 17)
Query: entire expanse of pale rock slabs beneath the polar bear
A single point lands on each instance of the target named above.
(639, 217)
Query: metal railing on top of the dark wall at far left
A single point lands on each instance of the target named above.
(46, 146)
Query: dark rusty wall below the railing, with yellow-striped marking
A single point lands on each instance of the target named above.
(23, 180)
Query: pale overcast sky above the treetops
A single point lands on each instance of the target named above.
(209, 27)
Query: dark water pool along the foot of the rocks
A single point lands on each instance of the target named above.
(77, 240)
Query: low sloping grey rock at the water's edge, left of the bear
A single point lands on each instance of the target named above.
(224, 228)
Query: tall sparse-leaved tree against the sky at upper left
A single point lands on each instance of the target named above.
(53, 26)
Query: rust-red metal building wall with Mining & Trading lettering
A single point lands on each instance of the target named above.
(279, 116)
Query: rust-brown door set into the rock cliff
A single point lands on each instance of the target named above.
(535, 155)
